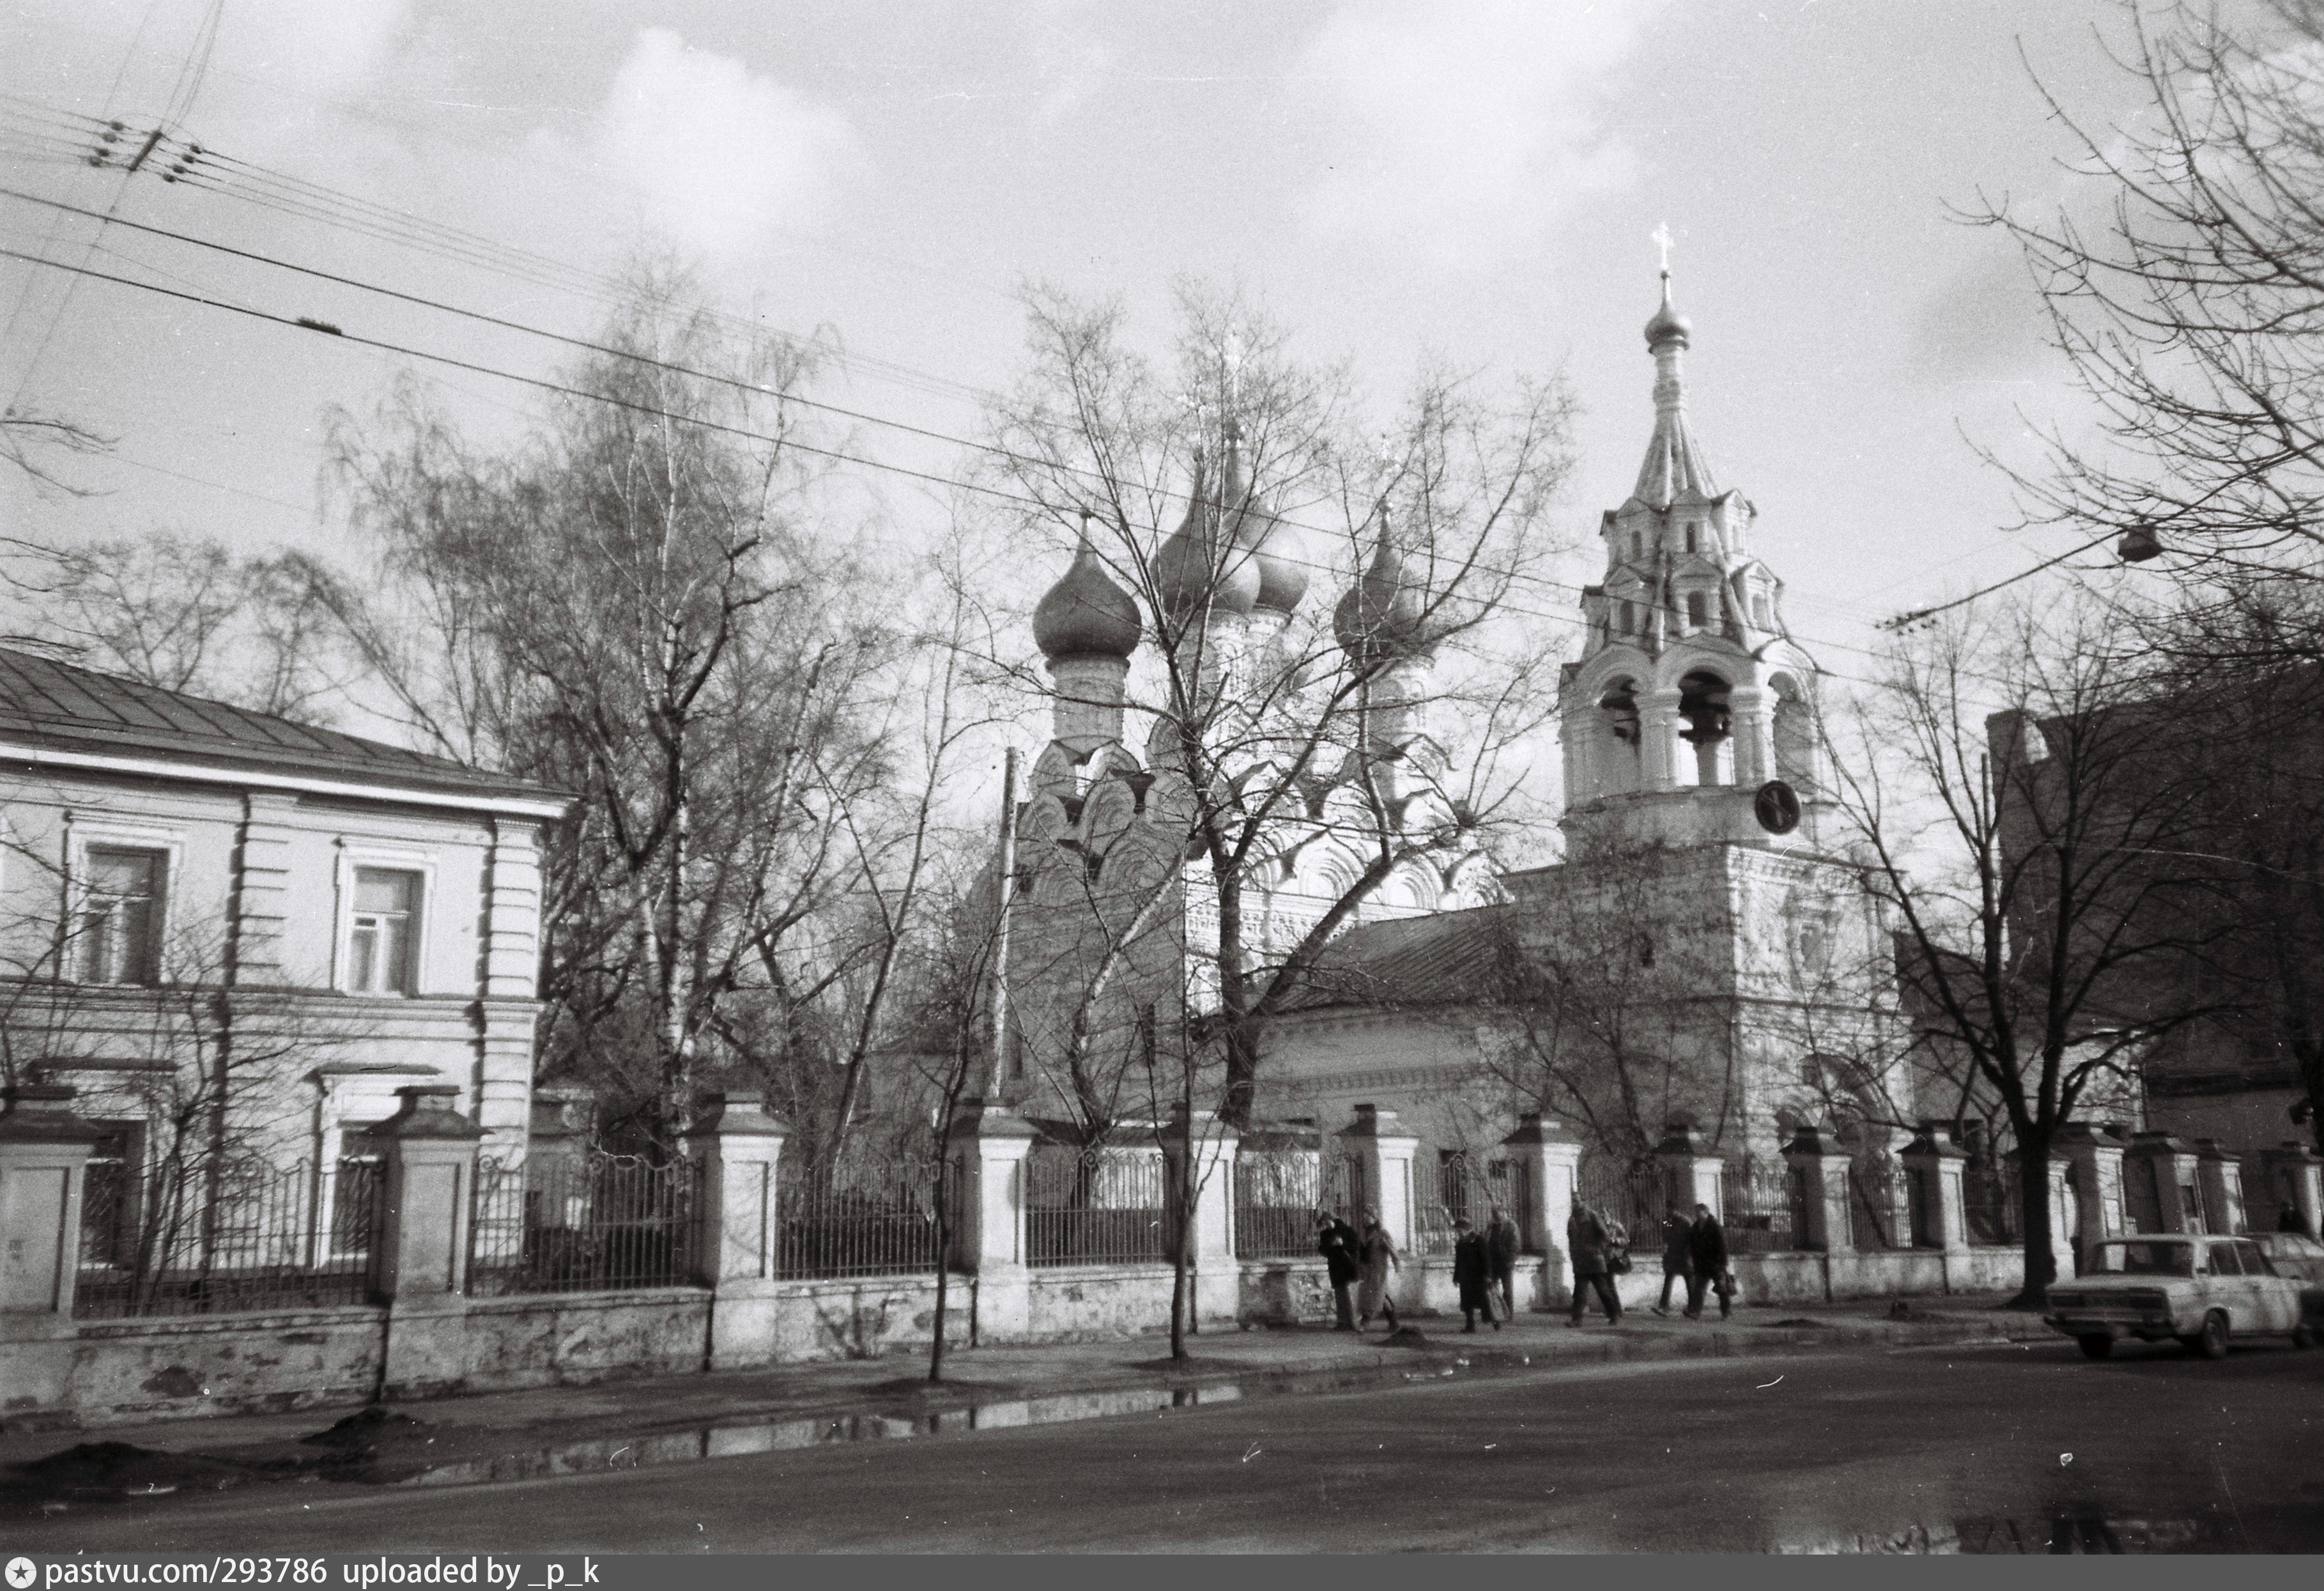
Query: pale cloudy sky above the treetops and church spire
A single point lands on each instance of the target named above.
(1393, 180)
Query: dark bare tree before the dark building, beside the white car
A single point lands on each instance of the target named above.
(2030, 847)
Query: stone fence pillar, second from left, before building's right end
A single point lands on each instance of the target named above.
(419, 1248)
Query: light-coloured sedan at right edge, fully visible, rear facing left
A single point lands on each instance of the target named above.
(2176, 1286)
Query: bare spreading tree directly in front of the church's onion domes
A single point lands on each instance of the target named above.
(1296, 763)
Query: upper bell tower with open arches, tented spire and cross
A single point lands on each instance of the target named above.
(1688, 698)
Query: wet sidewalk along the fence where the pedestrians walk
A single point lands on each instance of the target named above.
(564, 1427)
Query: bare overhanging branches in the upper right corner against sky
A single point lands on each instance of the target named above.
(2193, 305)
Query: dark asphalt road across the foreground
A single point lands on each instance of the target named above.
(1967, 1448)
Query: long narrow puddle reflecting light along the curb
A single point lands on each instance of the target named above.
(791, 1434)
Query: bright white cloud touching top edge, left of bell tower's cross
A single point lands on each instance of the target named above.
(1463, 131)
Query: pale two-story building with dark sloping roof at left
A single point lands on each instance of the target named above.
(236, 937)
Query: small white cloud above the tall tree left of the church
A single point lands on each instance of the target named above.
(719, 157)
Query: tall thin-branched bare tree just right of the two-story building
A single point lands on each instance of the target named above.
(640, 605)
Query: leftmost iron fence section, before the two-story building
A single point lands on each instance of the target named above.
(189, 1241)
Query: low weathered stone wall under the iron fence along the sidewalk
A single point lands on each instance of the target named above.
(213, 1365)
